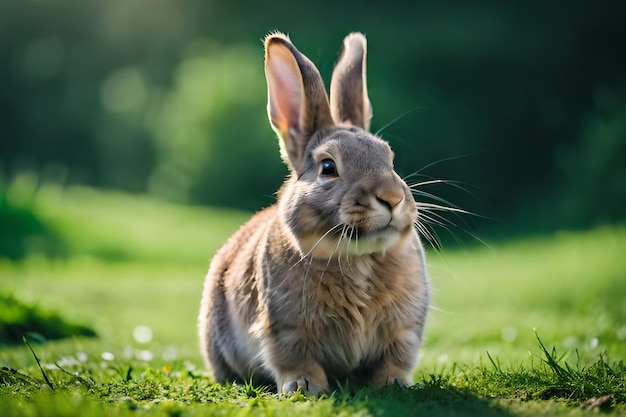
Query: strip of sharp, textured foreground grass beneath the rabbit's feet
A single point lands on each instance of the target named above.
(83, 385)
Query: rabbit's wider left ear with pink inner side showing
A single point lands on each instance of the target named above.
(297, 104)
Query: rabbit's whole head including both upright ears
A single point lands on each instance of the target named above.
(343, 197)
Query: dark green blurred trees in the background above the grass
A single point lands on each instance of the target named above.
(524, 100)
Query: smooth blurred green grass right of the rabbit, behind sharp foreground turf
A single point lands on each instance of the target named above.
(570, 286)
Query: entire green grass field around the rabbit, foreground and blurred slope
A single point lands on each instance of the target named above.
(133, 272)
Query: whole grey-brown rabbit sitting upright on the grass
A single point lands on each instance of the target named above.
(329, 284)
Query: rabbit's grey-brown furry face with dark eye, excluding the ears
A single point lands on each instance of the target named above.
(347, 200)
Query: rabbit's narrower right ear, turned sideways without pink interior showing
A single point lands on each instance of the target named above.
(349, 102)
